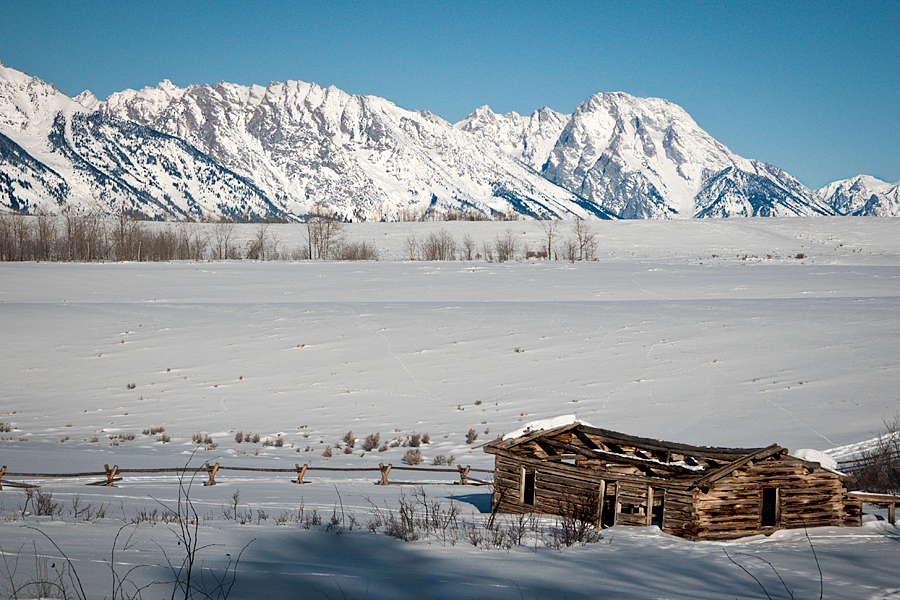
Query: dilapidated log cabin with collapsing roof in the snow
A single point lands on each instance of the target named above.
(695, 492)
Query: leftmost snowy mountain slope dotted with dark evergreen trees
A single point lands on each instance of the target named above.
(57, 153)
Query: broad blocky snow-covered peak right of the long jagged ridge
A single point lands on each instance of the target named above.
(644, 158)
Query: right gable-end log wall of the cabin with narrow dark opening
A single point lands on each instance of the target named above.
(733, 505)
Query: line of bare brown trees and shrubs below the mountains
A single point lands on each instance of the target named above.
(86, 237)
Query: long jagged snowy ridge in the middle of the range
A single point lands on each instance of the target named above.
(362, 156)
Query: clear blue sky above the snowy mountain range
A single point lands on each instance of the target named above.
(811, 86)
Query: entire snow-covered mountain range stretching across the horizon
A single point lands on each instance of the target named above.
(287, 149)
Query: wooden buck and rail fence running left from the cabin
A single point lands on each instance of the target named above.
(114, 474)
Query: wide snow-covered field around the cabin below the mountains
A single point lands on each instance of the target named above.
(705, 332)
